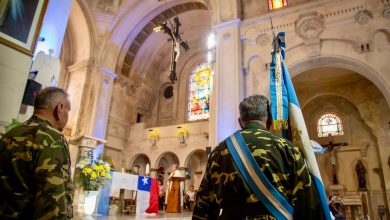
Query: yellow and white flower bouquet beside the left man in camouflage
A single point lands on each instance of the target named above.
(93, 173)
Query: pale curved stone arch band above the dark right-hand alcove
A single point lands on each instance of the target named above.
(345, 63)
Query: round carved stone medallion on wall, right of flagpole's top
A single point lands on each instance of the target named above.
(309, 26)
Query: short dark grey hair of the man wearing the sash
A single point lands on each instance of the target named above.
(254, 107)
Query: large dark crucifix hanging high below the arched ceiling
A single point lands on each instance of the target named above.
(177, 44)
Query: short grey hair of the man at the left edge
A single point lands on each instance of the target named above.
(49, 97)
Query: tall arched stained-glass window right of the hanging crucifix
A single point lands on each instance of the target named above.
(199, 92)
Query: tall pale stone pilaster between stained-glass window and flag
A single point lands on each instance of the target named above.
(227, 91)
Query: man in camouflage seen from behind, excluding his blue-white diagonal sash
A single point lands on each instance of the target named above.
(223, 187)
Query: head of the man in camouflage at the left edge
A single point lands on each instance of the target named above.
(52, 104)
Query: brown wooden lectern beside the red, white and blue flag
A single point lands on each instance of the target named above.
(174, 195)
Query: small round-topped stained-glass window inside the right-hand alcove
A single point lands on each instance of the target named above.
(329, 123)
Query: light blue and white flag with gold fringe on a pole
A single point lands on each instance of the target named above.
(284, 107)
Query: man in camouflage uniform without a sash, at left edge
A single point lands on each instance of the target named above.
(35, 178)
